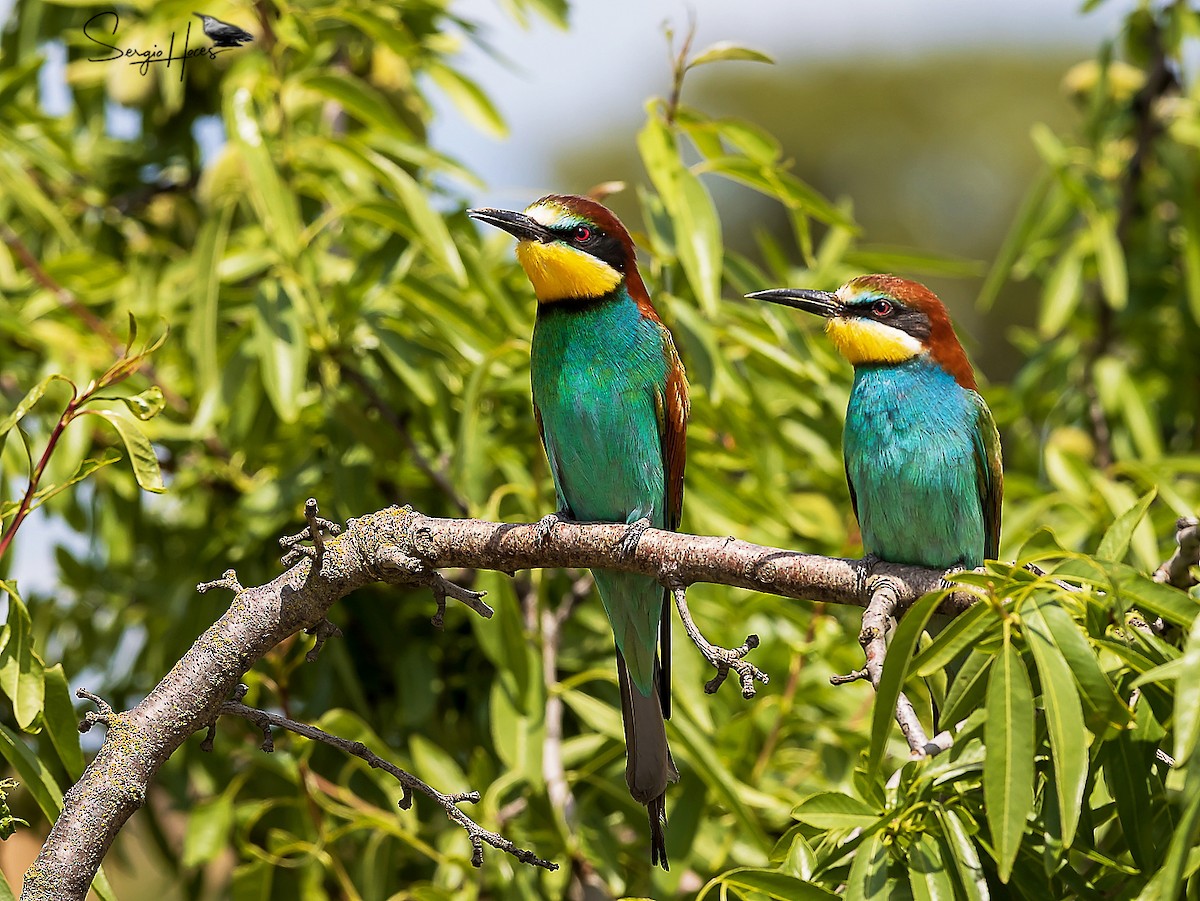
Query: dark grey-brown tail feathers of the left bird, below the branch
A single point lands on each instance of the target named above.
(649, 764)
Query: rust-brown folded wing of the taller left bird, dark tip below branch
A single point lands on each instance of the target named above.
(671, 406)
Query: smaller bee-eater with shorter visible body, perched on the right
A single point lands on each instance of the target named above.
(921, 447)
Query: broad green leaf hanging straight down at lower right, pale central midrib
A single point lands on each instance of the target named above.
(1009, 770)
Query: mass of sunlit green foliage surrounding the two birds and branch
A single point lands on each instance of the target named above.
(339, 329)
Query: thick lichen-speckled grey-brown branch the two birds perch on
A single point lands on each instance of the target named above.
(399, 546)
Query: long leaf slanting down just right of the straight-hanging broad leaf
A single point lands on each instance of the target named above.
(1065, 722)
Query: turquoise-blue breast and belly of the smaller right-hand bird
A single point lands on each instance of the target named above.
(910, 447)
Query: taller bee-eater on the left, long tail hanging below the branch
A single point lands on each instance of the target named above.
(611, 403)
